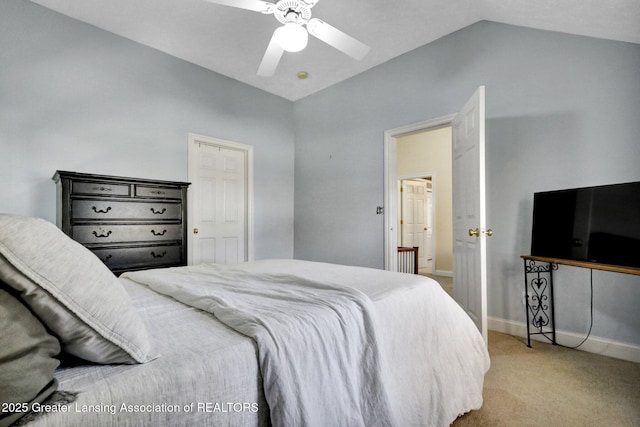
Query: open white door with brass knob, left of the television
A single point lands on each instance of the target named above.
(469, 211)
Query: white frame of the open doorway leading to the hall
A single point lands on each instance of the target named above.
(391, 195)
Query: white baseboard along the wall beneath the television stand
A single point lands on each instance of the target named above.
(597, 345)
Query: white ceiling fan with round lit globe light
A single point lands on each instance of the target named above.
(292, 36)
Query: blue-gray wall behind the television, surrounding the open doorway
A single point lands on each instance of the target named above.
(562, 111)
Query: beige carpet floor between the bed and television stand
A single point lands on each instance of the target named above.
(549, 385)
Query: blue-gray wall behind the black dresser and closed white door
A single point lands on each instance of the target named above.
(77, 98)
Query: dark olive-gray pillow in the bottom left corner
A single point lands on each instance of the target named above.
(27, 360)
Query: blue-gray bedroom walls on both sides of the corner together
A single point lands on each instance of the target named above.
(562, 111)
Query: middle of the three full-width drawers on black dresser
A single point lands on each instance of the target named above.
(126, 233)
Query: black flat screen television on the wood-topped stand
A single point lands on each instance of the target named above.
(597, 224)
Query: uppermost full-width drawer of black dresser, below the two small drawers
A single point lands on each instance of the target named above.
(114, 210)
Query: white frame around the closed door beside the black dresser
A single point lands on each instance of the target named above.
(194, 139)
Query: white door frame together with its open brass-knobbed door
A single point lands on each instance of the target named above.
(469, 205)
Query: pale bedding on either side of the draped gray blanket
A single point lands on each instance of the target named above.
(208, 374)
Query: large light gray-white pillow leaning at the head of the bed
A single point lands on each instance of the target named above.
(72, 292)
